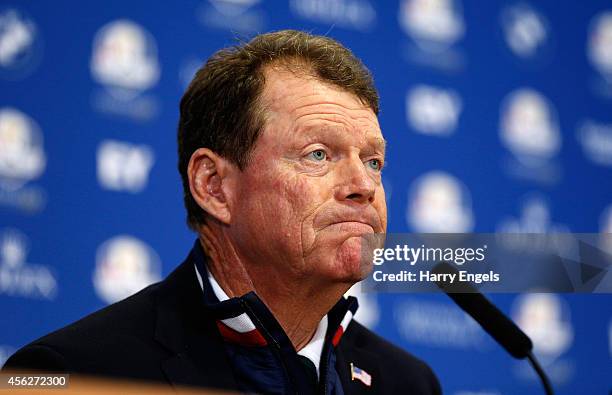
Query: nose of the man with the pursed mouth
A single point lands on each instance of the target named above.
(355, 182)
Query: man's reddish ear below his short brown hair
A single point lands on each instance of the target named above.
(209, 181)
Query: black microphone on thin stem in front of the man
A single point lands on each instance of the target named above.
(490, 318)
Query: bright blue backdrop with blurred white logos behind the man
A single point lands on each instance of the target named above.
(498, 117)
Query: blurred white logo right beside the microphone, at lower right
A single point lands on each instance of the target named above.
(545, 319)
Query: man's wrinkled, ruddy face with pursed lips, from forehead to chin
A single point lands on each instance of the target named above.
(313, 185)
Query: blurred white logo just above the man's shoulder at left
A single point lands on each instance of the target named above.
(124, 266)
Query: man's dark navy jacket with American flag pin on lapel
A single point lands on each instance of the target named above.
(169, 332)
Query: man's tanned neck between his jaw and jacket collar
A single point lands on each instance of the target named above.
(297, 305)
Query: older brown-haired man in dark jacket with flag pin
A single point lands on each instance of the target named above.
(281, 153)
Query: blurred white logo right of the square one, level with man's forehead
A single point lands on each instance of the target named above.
(529, 126)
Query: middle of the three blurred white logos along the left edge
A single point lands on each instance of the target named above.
(22, 157)
